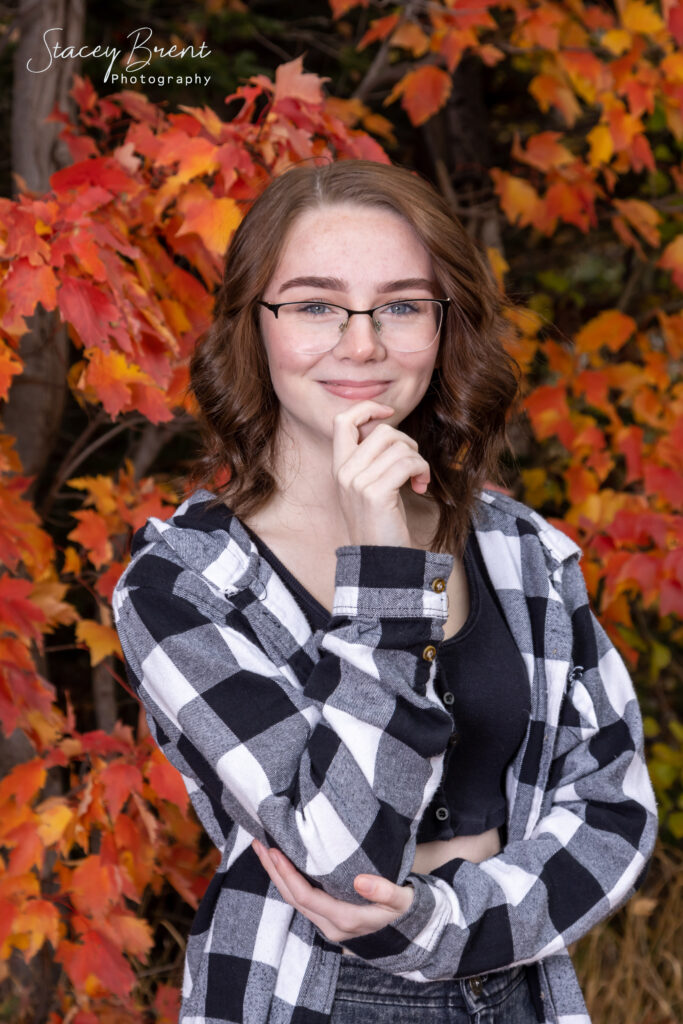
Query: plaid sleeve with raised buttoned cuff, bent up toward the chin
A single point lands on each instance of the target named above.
(333, 760)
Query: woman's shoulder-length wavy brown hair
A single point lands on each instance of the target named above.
(460, 422)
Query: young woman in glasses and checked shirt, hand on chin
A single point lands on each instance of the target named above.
(416, 749)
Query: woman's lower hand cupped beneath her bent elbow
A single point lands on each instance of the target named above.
(337, 920)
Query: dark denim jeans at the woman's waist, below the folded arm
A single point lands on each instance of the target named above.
(366, 996)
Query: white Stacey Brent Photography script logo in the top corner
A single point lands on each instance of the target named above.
(139, 59)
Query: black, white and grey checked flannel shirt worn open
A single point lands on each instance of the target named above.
(329, 745)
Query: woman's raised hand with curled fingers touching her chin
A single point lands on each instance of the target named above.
(371, 473)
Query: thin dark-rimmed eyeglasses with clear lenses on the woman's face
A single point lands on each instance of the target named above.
(405, 325)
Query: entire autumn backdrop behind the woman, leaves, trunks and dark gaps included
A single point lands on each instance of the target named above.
(554, 131)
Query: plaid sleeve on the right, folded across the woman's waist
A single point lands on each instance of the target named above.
(585, 857)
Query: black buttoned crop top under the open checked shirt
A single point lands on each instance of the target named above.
(483, 681)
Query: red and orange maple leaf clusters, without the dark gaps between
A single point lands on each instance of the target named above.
(127, 248)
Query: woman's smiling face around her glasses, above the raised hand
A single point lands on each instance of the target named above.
(369, 252)
